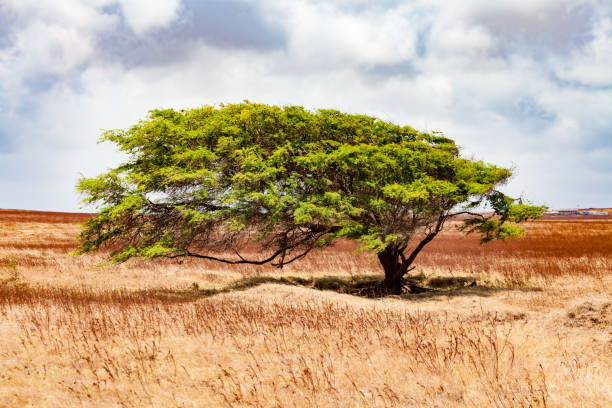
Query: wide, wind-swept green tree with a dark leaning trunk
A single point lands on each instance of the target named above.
(212, 181)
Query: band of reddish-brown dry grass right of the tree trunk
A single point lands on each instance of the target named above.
(552, 247)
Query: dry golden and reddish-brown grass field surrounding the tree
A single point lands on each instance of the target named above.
(526, 323)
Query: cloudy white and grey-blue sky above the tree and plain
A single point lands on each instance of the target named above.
(525, 84)
